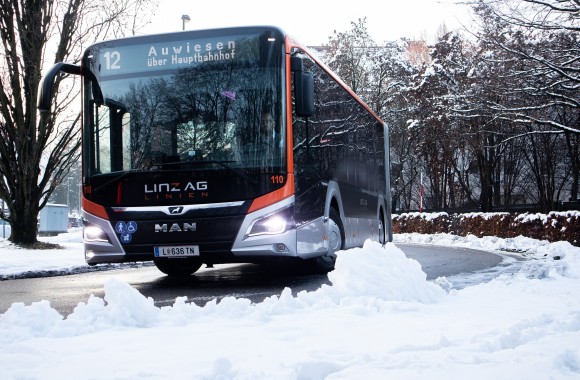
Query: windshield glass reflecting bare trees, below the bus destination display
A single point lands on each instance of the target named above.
(216, 112)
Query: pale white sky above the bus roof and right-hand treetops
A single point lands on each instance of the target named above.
(313, 22)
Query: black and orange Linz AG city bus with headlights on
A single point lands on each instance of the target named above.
(232, 145)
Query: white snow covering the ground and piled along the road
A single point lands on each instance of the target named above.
(380, 318)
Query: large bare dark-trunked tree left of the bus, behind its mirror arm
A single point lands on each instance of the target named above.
(36, 152)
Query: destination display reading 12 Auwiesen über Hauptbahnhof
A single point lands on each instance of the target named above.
(171, 55)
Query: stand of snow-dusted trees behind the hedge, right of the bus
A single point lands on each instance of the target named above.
(478, 115)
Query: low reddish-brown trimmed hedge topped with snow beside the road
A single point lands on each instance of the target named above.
(554, 226)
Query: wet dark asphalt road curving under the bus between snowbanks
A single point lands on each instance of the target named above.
(251, 281)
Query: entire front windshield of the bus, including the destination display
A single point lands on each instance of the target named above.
(185, 101)
